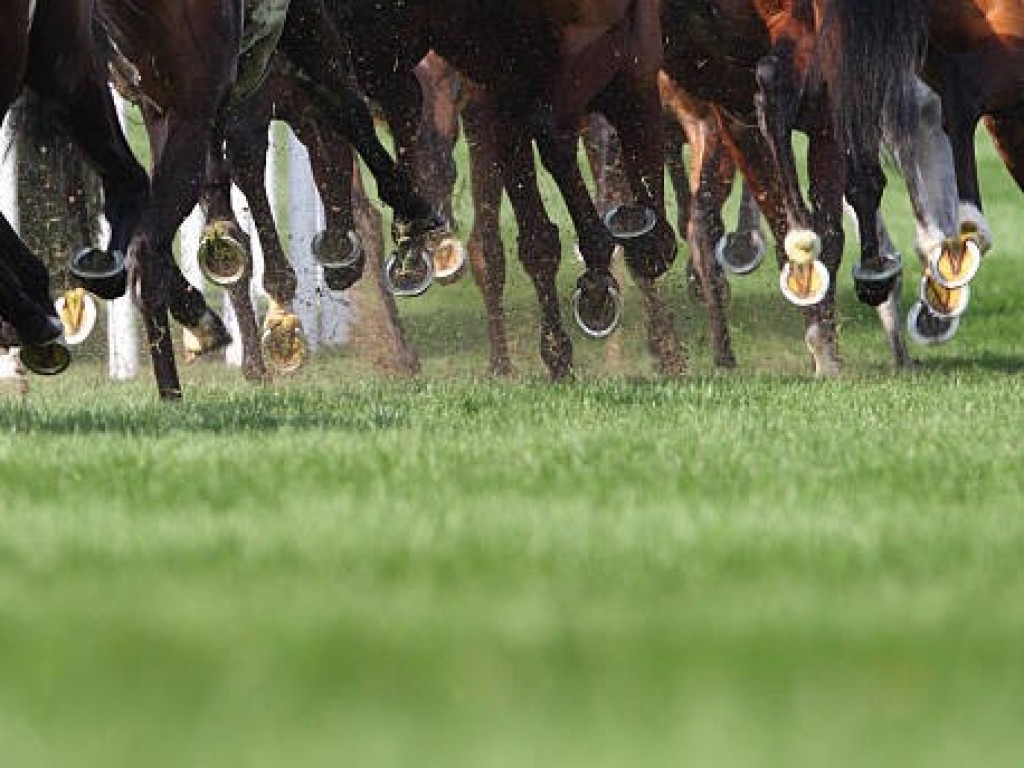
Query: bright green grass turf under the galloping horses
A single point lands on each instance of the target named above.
(752, 569)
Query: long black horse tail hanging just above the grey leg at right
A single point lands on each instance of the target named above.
(869, 53)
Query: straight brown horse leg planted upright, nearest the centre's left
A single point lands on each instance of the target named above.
(487, 252)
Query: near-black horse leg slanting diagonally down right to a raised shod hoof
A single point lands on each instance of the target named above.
(316, 45)
